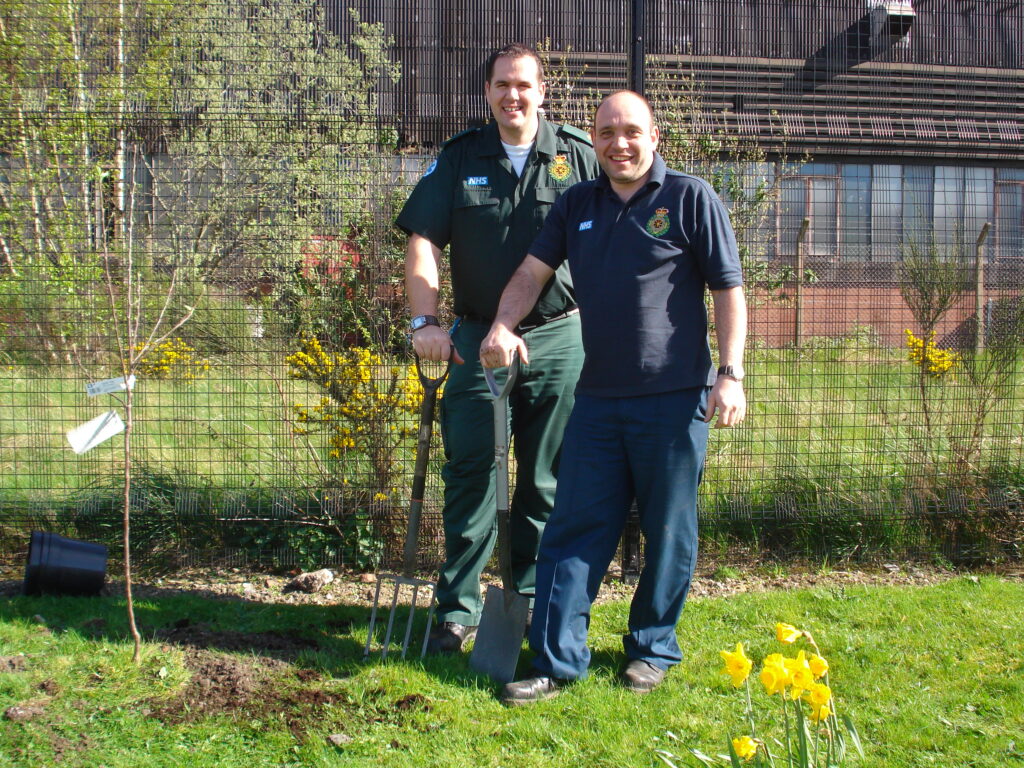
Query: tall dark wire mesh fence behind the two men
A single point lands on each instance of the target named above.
(202, 196)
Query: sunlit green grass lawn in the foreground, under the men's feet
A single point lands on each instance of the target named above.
(931, 675)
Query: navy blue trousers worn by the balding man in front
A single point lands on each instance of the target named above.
(616, 450)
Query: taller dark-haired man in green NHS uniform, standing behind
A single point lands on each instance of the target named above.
(485, 198)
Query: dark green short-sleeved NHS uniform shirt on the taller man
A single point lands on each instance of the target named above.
(472, 200)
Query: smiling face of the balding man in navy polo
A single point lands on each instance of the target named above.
(625, 140)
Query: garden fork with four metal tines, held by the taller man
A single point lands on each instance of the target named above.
(407, 578)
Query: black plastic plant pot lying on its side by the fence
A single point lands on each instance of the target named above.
(64, 567)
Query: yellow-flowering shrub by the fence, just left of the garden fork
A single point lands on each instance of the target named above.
(366, 409)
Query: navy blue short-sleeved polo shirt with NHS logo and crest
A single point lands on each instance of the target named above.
(641, 270)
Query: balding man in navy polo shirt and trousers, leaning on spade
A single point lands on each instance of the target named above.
(643, 243)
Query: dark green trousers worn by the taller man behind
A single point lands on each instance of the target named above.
(539, 409)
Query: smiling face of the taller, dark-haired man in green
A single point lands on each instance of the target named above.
(515, 94)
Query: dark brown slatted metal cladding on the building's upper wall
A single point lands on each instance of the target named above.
(838, 77)
